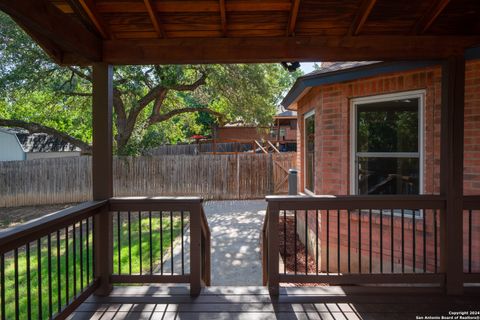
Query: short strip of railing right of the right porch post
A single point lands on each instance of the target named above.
(471, 239)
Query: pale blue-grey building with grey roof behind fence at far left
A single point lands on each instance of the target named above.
(18, 144)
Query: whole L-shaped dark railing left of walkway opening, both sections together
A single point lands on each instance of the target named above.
(50, 238)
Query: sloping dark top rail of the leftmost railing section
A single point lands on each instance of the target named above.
(34, 229)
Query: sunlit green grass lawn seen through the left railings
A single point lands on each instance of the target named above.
(39, 300)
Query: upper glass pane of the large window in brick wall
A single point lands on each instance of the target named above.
(388, 126)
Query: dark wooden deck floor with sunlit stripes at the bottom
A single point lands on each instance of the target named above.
(157, 302)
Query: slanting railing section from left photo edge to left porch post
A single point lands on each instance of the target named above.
(47, 265)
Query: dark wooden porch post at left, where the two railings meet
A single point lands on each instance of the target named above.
(102, 172)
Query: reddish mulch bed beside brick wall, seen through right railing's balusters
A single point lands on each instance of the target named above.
(289, 257)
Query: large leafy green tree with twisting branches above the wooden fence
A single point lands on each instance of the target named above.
(151, 103)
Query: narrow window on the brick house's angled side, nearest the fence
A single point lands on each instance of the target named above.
(309, 120)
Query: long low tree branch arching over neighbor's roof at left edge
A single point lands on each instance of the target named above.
(33, 127)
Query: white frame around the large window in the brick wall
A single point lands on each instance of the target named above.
(417, 94)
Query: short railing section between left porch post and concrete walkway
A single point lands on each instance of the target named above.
(144, 232)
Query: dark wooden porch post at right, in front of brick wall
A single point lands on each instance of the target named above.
(451, 171)
